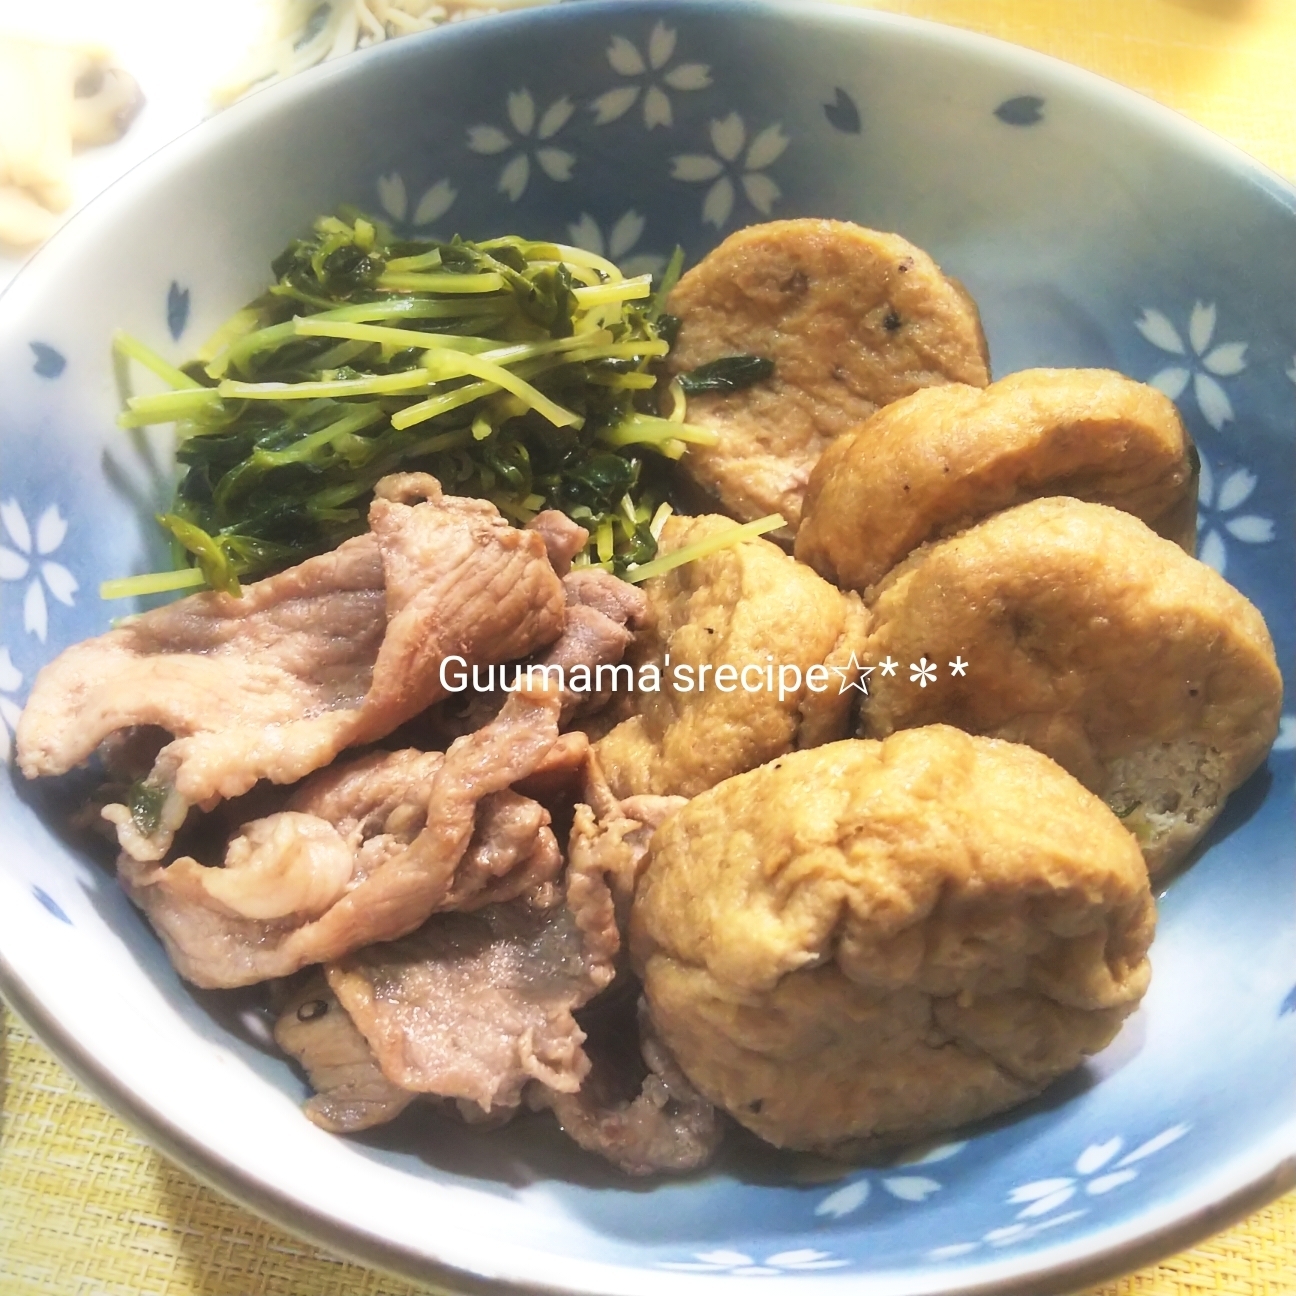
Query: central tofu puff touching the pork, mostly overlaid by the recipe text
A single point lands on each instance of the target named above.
(747, 608)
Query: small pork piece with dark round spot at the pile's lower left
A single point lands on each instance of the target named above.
(351, 1091)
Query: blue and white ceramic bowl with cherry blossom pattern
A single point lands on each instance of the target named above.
(1093, 227)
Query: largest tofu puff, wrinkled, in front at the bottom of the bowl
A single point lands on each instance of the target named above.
(875, 942)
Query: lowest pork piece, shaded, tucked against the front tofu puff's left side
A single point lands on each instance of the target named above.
(637, 1111)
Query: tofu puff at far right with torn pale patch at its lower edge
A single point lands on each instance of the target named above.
(1136, 668)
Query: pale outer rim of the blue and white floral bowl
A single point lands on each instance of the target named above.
(1264, 1176)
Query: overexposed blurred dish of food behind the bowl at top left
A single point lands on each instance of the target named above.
(90, 90)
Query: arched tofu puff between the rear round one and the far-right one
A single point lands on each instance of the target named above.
(940, 461)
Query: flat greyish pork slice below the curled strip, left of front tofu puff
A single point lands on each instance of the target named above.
(476, 1006)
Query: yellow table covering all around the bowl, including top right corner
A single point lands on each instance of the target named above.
(89, 1210)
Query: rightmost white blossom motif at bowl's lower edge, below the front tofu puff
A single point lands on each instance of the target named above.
(1098, 1171)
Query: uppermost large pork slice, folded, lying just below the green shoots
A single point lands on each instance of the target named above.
(338, 651)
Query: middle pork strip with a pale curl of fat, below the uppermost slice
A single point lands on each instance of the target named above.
(299, 888)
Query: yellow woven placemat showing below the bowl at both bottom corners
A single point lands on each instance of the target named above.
(87, 1209)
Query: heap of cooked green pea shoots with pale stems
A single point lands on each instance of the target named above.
(516, 371)
